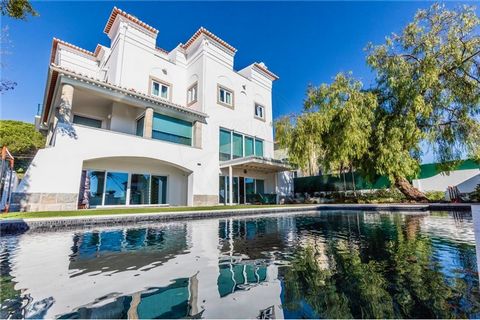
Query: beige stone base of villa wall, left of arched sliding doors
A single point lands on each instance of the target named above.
(43, 201)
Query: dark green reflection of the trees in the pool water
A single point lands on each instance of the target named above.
(371, 277)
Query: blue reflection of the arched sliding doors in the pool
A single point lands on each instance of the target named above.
(124, 249)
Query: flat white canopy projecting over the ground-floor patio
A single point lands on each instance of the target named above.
(257, 163)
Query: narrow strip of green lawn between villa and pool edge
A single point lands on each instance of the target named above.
(95, 212)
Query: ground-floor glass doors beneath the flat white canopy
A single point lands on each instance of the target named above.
(242, 188)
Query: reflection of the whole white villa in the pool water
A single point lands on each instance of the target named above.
(163, 271)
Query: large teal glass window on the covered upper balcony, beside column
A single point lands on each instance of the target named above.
(171, 129)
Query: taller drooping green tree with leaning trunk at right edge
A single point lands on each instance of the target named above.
(428, 85)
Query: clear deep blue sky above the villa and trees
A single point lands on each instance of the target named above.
(303, 42)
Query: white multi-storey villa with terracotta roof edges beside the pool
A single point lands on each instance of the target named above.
(132, 124)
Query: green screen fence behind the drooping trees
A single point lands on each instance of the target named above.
(337, 183)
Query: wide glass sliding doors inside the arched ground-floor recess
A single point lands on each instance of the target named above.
(119, 188)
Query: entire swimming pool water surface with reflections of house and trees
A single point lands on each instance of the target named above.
(309, 265)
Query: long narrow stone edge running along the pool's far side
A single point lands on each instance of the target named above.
(21, 225)
